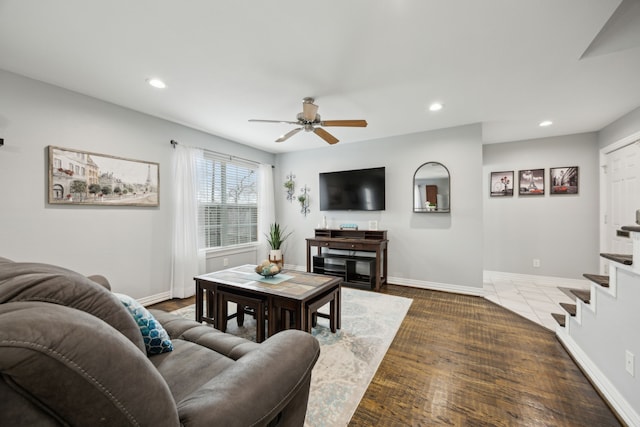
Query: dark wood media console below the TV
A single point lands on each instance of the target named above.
(344, 265)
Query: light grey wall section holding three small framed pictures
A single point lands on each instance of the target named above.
(559, 230)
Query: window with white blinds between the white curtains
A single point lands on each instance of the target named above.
(227, 201)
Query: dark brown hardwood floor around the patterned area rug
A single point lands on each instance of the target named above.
(464, 361)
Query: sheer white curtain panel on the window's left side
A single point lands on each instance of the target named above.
(186, 259)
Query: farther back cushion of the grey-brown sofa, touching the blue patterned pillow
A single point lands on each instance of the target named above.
(23, 281)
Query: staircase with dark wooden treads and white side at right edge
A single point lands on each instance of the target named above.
(601, 330)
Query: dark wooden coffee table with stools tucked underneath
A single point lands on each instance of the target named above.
(289, 296)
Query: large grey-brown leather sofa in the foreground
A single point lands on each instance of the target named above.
(72, 354)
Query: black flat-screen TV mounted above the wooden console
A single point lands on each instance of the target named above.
(353, 190)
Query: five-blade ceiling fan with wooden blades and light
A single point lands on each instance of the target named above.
(309, 121)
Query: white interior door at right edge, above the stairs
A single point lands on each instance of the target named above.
(623, 191)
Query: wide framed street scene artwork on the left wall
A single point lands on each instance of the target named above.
(83, 178)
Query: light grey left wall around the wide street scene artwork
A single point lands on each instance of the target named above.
(129, 245)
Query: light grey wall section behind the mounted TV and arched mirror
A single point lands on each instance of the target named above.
(436, 250)
